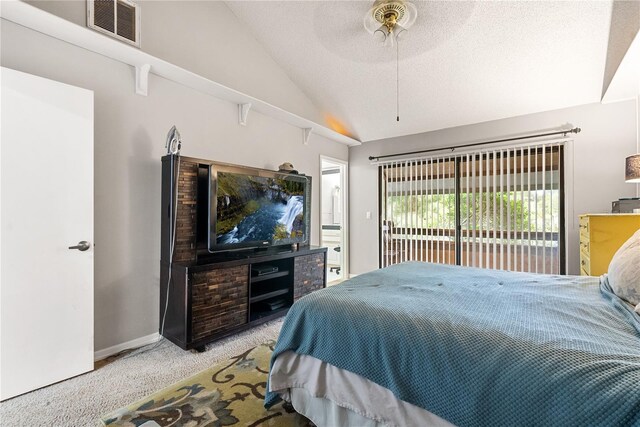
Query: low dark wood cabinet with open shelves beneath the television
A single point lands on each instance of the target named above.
(214, 300)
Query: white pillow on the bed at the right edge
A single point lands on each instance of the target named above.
(624, 270)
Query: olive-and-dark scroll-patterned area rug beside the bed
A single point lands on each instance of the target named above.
(230, 393)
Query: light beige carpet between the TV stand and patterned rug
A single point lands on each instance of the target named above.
(82, 400)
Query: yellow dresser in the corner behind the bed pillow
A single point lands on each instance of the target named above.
(600, 237)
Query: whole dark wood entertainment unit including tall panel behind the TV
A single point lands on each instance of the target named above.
(212, 296)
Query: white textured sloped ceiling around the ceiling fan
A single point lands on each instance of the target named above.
(461, 63)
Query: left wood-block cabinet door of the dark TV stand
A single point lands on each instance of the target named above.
(219, 301)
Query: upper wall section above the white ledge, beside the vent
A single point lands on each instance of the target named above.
(207, 38)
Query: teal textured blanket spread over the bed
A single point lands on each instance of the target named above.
(479, 347)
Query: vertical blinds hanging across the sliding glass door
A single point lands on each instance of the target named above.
(499, 209)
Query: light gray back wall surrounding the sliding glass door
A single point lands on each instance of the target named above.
(608, 136)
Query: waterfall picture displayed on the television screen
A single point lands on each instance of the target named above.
(253, 208)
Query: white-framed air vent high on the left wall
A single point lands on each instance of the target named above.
(118, 18)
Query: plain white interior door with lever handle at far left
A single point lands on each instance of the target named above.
(46, 205)
